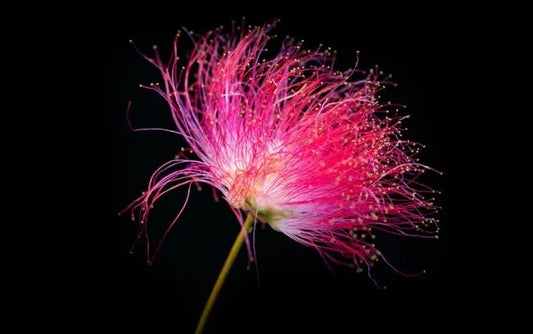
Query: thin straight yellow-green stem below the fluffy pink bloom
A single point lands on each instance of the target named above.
(224, 272)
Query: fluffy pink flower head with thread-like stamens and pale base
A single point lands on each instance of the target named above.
(306, 149)
